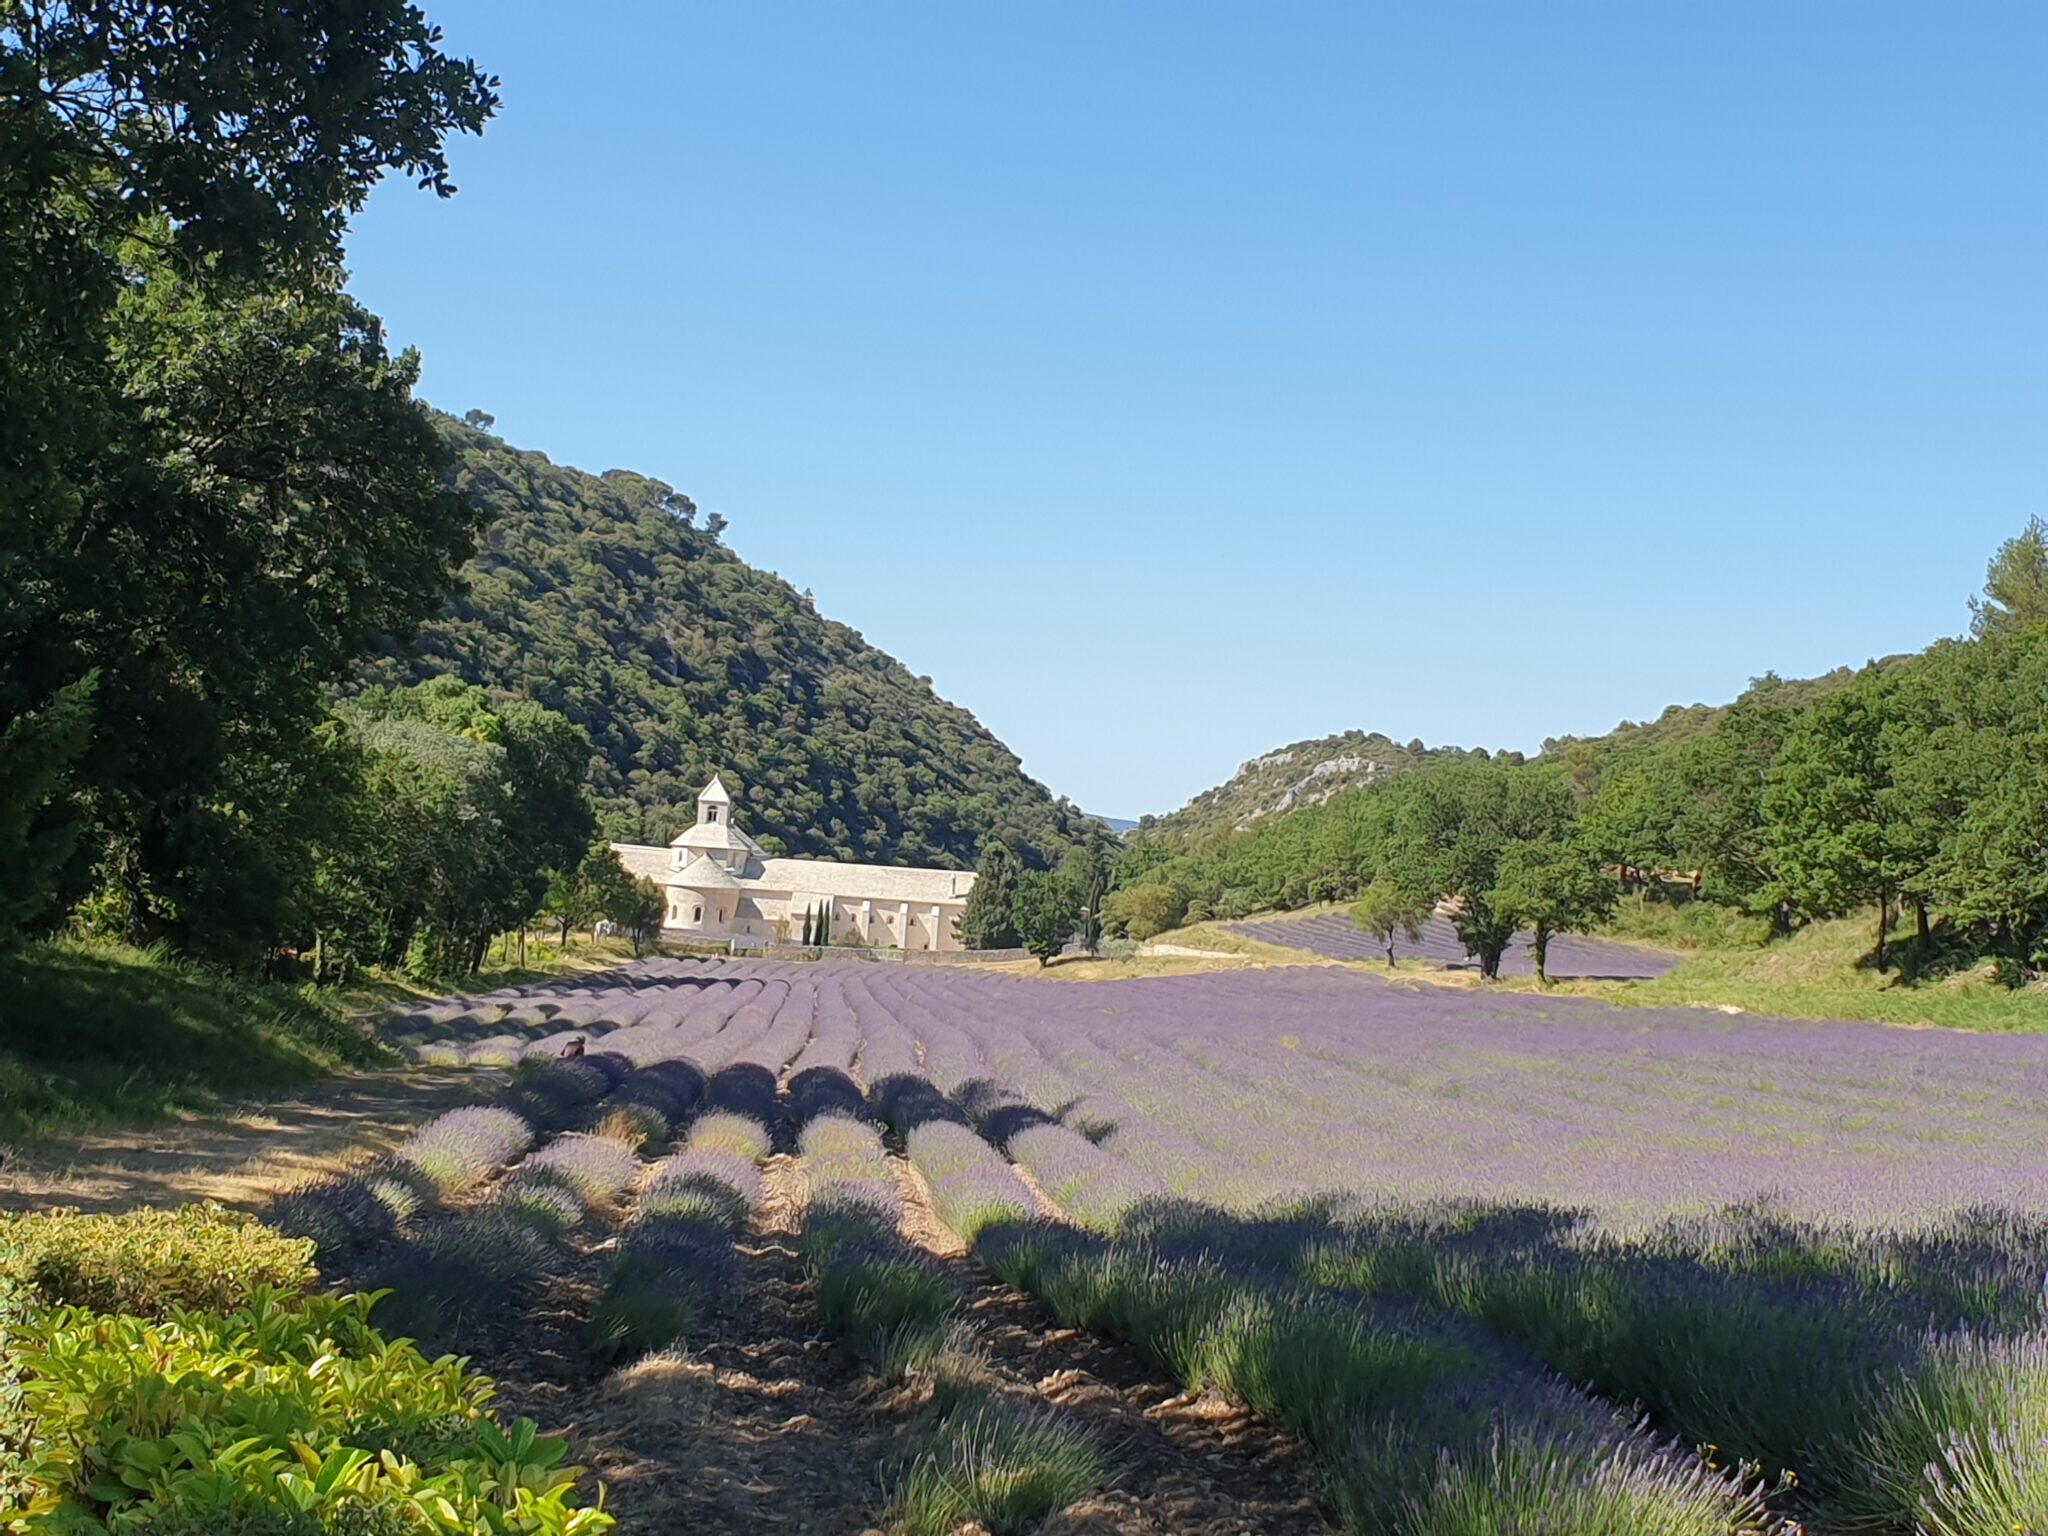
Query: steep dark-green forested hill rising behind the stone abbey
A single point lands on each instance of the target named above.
(607, 599)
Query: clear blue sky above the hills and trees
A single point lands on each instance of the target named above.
(1170, 382)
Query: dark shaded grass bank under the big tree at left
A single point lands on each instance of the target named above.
(97, 1035)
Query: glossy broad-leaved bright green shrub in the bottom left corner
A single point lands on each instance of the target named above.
(284, 1416)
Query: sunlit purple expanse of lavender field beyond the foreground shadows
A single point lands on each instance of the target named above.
(1267, 1084)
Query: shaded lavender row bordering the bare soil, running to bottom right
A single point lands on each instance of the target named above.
(1420, 1424)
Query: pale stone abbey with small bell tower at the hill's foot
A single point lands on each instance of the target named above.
(724, 886)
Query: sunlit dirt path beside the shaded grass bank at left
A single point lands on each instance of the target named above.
(245, 1158)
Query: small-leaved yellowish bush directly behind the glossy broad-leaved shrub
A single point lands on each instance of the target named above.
(151, 1263)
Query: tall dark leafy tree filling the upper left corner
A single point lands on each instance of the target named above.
(216, 480)
